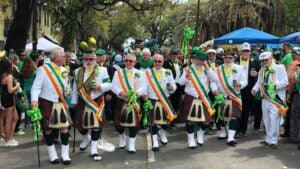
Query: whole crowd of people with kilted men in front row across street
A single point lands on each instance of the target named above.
(152, 90)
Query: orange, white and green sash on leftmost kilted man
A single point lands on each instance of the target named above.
(56, 83)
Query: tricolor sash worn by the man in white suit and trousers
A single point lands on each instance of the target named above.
(278, 103)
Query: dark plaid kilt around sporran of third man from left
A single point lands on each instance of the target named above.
(118, 112)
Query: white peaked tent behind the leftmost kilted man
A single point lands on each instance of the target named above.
(43, 44)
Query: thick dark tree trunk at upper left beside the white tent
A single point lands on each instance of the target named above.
(18, 30)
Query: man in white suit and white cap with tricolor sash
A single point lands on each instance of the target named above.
(271, 83)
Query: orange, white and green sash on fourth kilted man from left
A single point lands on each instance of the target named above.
(155, 86)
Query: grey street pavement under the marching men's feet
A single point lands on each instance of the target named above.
(214, 154)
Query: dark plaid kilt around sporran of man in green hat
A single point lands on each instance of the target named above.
(188, 100)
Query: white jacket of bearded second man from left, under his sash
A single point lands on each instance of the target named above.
(104, 86)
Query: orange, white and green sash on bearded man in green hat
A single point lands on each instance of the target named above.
(201, 91)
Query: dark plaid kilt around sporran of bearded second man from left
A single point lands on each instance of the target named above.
(79, 112)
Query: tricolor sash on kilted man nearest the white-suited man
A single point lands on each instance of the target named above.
(224, 82)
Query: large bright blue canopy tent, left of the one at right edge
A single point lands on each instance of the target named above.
(250, 35)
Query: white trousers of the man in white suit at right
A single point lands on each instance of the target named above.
(271, 119)
